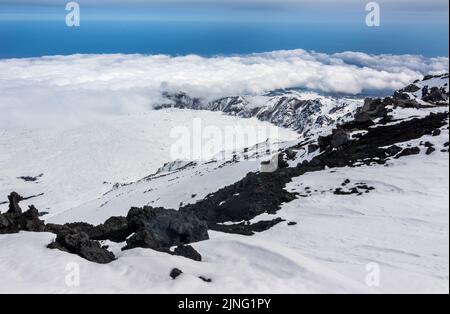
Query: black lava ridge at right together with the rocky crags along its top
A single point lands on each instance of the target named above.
(260, 193)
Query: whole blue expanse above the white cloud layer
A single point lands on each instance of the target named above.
(207, 27)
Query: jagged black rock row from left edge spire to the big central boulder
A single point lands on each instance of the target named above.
(147, 227)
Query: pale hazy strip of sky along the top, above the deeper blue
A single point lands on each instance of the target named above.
(258, 9)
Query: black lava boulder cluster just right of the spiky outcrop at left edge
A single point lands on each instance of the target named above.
(153, 228)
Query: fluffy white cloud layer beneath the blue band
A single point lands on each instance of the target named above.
(67, 85)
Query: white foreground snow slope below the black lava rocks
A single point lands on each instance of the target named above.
(402, 226)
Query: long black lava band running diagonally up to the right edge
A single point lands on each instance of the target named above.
(260, 193)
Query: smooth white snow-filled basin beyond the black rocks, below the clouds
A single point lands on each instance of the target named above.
(79, 163)
